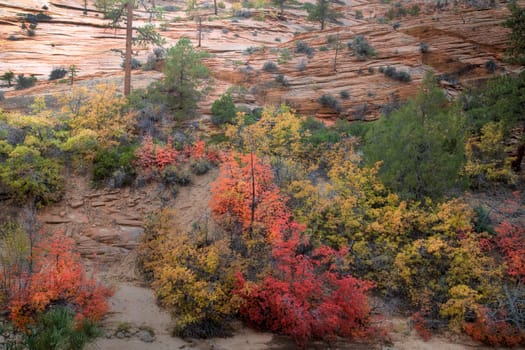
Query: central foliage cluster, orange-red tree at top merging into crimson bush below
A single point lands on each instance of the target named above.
(307, 295)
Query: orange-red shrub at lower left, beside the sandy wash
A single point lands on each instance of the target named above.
(57, 278)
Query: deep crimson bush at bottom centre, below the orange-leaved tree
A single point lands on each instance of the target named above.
(306, 297)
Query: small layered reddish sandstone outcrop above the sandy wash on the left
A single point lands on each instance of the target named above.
(104, 235)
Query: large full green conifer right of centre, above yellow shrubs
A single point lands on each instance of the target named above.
(421, 145)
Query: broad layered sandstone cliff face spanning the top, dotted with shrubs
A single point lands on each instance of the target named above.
(460, 41)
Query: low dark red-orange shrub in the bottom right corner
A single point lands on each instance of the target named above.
(486, 330)
